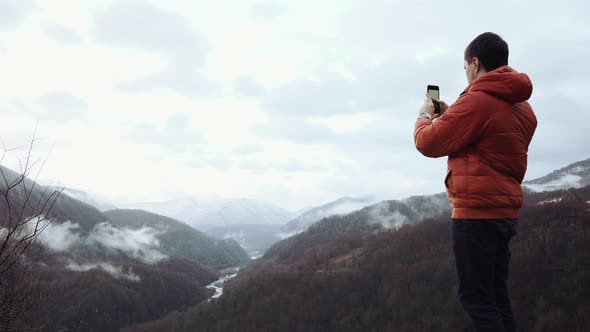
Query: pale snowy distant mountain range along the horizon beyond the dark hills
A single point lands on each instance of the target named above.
(256, 225)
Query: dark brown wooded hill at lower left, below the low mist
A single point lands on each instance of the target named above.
(108, 295)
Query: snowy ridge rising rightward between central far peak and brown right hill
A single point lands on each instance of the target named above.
(343, 205)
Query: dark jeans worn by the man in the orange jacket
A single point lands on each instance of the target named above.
(482, 256)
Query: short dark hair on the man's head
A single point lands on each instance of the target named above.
(490, 49)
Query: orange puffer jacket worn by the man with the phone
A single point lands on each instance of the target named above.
(486, 134)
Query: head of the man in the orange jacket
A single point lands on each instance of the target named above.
(486, 52)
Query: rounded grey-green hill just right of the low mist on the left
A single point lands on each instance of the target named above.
(178, 239)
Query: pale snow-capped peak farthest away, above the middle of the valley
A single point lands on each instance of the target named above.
(243, 212)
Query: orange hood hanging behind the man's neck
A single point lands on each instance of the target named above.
(505, 83)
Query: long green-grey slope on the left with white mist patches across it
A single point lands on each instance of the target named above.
(80, 229)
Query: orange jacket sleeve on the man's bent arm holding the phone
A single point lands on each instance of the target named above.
(461, 125)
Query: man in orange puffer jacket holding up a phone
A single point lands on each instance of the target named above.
(485, 134)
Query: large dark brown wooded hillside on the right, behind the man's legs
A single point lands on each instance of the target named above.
(350, 273)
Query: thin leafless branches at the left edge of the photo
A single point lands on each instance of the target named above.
(25, 212)
